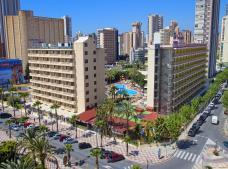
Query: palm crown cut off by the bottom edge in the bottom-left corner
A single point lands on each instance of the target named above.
(24, 162)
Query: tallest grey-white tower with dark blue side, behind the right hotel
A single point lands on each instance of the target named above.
(206, 29)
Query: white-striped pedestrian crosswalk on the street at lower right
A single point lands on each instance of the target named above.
(184, 155)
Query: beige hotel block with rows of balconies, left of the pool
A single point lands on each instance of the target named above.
(73, 77)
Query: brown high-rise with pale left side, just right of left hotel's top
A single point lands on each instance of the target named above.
(107, 38)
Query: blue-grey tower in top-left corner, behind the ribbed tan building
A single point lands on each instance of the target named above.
(7, 7)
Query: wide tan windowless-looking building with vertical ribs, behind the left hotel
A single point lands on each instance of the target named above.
(25, 30)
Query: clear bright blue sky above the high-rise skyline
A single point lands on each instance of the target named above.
(89, 15)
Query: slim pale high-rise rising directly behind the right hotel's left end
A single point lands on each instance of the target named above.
(155, 23)
